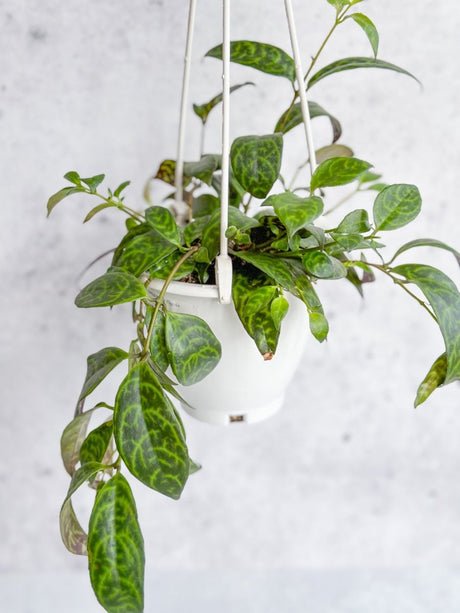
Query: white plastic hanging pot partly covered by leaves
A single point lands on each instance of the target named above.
(243, 387)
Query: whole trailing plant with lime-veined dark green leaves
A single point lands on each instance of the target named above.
(280, 254)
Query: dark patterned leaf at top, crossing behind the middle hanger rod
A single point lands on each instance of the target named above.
(260, 56)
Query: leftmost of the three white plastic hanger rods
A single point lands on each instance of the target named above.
(179, 174)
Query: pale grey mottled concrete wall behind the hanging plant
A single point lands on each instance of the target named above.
(348, 475)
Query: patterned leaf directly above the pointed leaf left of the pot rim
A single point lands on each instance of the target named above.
(143, 252)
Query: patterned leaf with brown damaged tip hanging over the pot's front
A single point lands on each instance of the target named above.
(252, 298)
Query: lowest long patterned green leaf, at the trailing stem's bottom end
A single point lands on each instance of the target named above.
(116, 549)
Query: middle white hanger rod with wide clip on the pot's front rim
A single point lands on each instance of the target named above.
(223, 260)
